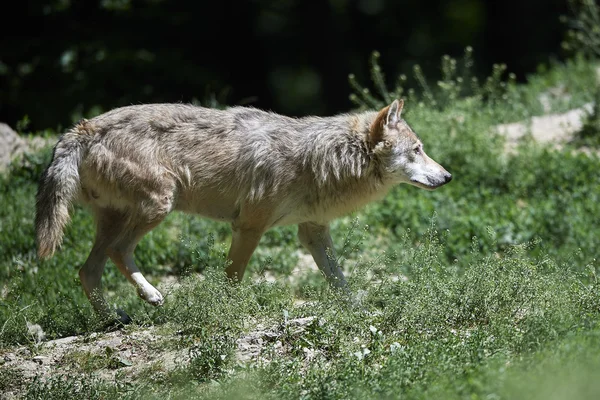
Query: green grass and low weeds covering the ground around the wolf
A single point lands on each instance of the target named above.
(485, 288)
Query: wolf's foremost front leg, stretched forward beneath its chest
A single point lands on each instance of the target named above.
(316, 239)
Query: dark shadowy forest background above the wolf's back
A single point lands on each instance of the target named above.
(63, 59)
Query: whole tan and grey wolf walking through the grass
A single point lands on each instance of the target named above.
(251, 168)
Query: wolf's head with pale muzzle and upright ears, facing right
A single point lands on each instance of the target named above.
(401, 153)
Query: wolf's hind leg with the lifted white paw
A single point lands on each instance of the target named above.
(121, 253)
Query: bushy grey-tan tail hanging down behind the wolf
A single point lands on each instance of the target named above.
(57, 190)
